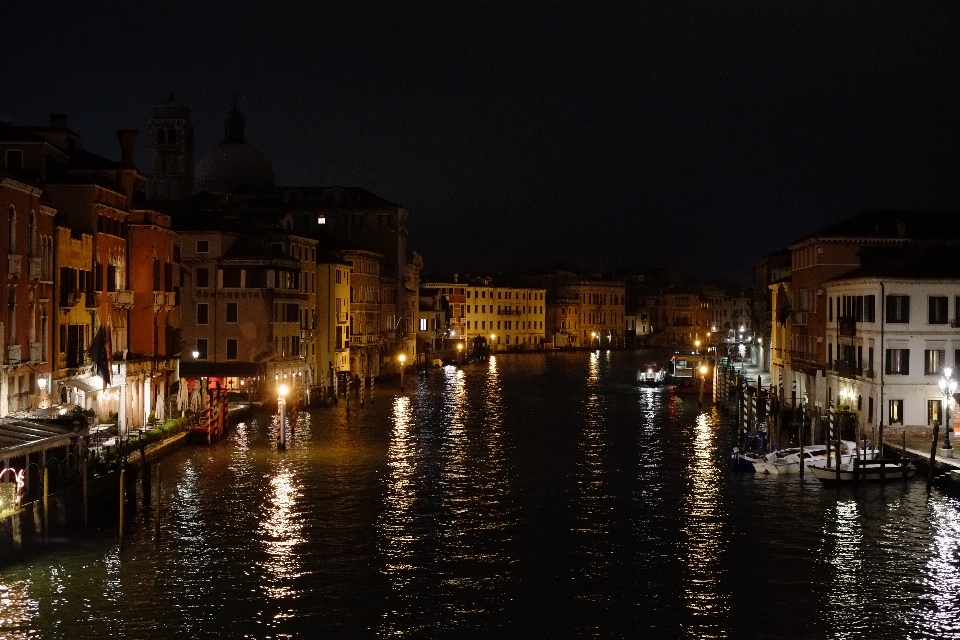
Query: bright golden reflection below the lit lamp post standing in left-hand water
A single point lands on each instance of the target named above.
(282, 530)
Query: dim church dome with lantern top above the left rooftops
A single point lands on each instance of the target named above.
(233, 166)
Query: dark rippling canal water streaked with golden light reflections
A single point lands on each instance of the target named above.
(537, 496)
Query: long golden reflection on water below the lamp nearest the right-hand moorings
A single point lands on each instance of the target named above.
(703, 526)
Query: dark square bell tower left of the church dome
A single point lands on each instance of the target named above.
(171, 152)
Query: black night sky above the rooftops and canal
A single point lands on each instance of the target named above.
(701, 135)
